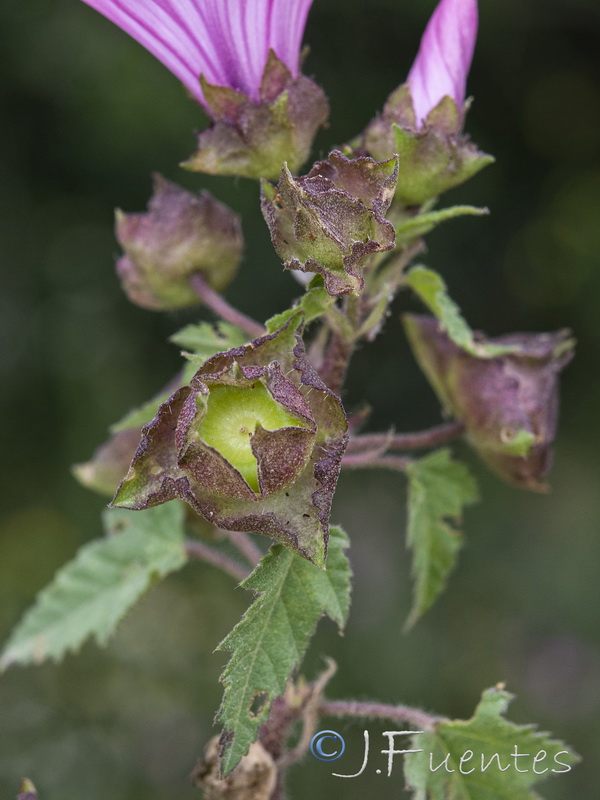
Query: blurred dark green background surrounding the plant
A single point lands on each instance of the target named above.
(86, 116)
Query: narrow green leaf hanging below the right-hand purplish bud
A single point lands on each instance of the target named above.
(438, 490)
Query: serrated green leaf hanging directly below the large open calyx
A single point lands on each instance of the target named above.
(272, 636)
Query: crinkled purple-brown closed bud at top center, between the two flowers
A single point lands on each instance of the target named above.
(331, 220)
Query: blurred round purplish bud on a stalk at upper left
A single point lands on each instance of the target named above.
(180, 235)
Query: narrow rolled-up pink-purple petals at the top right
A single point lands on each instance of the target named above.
(444, 58)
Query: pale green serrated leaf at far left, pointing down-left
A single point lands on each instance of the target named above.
(90, 595)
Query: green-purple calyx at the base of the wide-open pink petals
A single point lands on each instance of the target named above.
(253, 138)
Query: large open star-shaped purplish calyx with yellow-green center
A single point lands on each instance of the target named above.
(253, 443)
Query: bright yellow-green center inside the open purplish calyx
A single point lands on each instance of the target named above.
(231, 417)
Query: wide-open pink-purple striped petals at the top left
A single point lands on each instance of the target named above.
(226, 41)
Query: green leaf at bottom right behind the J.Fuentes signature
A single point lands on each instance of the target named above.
(498, 757)
